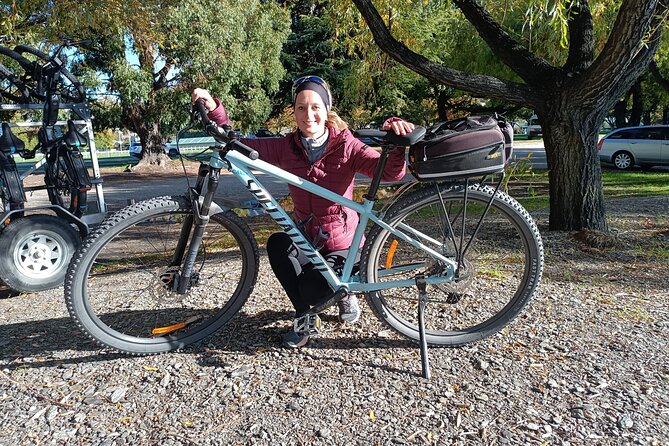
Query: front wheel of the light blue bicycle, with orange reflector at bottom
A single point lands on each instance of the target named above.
(120, 285)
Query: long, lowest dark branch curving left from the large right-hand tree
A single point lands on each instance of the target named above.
(477, 84)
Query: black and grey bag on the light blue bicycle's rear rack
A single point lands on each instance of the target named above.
(465, 147)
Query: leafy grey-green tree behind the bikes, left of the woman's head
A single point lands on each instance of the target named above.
(235, 55)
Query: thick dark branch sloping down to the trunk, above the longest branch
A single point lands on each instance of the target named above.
(530, 67)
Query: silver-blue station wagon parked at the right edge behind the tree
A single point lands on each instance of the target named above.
(644, 146)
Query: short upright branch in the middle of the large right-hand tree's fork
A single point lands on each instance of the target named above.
(581, 38)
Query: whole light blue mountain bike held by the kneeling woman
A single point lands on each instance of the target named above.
(444, 263)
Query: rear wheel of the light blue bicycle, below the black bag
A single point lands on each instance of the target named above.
(499, 264)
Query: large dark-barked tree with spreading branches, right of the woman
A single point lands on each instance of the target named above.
(570, 95)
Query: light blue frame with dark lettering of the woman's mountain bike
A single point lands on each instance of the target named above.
(240, 166)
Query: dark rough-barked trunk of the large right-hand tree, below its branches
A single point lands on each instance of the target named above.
(570, 137)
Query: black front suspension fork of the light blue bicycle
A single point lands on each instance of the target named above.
(197, 220)
